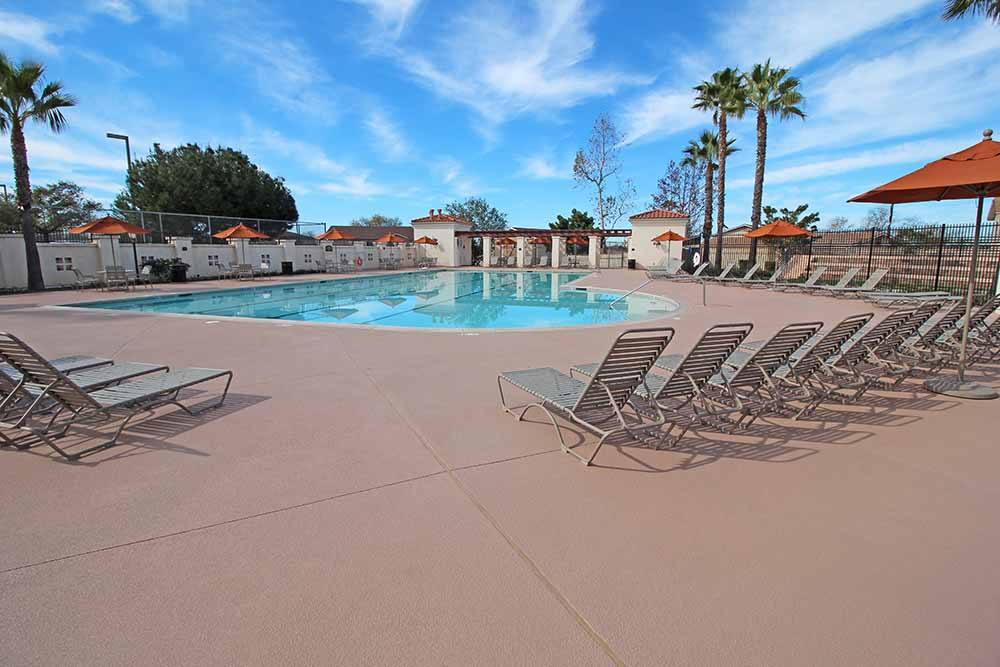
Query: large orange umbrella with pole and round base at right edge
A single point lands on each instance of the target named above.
(971, 173)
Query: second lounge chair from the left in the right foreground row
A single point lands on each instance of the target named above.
(687, 375)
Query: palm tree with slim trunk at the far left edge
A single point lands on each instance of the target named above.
(22, 101)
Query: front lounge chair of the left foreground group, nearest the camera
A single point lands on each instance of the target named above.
(123, 401)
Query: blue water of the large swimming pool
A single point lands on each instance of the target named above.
(426, 299)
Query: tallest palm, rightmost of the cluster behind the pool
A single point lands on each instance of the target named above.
(772, 93)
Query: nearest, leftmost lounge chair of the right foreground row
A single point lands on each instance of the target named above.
(595, 405)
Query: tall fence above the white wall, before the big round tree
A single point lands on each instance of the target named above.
(163, 225)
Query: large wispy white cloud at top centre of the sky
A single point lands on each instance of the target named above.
(502, 64)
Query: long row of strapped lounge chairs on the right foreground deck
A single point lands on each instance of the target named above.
(723, 381)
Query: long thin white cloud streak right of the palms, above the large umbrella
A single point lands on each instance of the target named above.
(905, 153)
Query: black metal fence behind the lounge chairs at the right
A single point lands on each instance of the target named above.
(917, 258)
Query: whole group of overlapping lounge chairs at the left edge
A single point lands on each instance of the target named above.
(42, 400)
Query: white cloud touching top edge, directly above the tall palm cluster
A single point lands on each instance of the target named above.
(790, 32)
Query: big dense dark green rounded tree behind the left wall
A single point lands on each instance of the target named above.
(210, 181)
